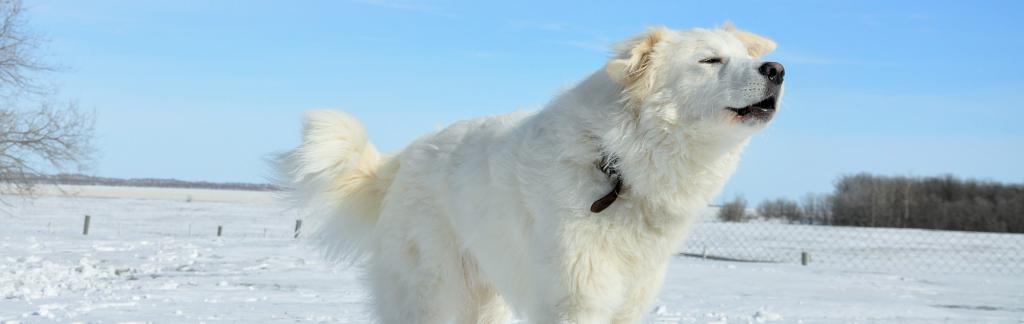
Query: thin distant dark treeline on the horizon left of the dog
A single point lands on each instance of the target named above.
(81, 180)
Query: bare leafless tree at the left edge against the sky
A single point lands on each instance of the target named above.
(36, 137)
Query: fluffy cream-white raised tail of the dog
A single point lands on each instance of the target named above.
(338, 179)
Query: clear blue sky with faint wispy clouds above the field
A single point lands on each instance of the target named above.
(207, 90)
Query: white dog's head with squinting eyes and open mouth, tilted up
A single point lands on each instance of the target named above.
(708, 79)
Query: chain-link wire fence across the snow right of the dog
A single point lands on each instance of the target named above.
(871, 250)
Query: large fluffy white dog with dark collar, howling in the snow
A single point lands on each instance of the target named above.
(569, 215)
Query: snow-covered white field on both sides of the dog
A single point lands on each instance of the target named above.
(153, 256)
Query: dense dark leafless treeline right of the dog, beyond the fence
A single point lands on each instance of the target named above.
(866, 200)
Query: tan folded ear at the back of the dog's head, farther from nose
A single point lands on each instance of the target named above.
(633, 58)
